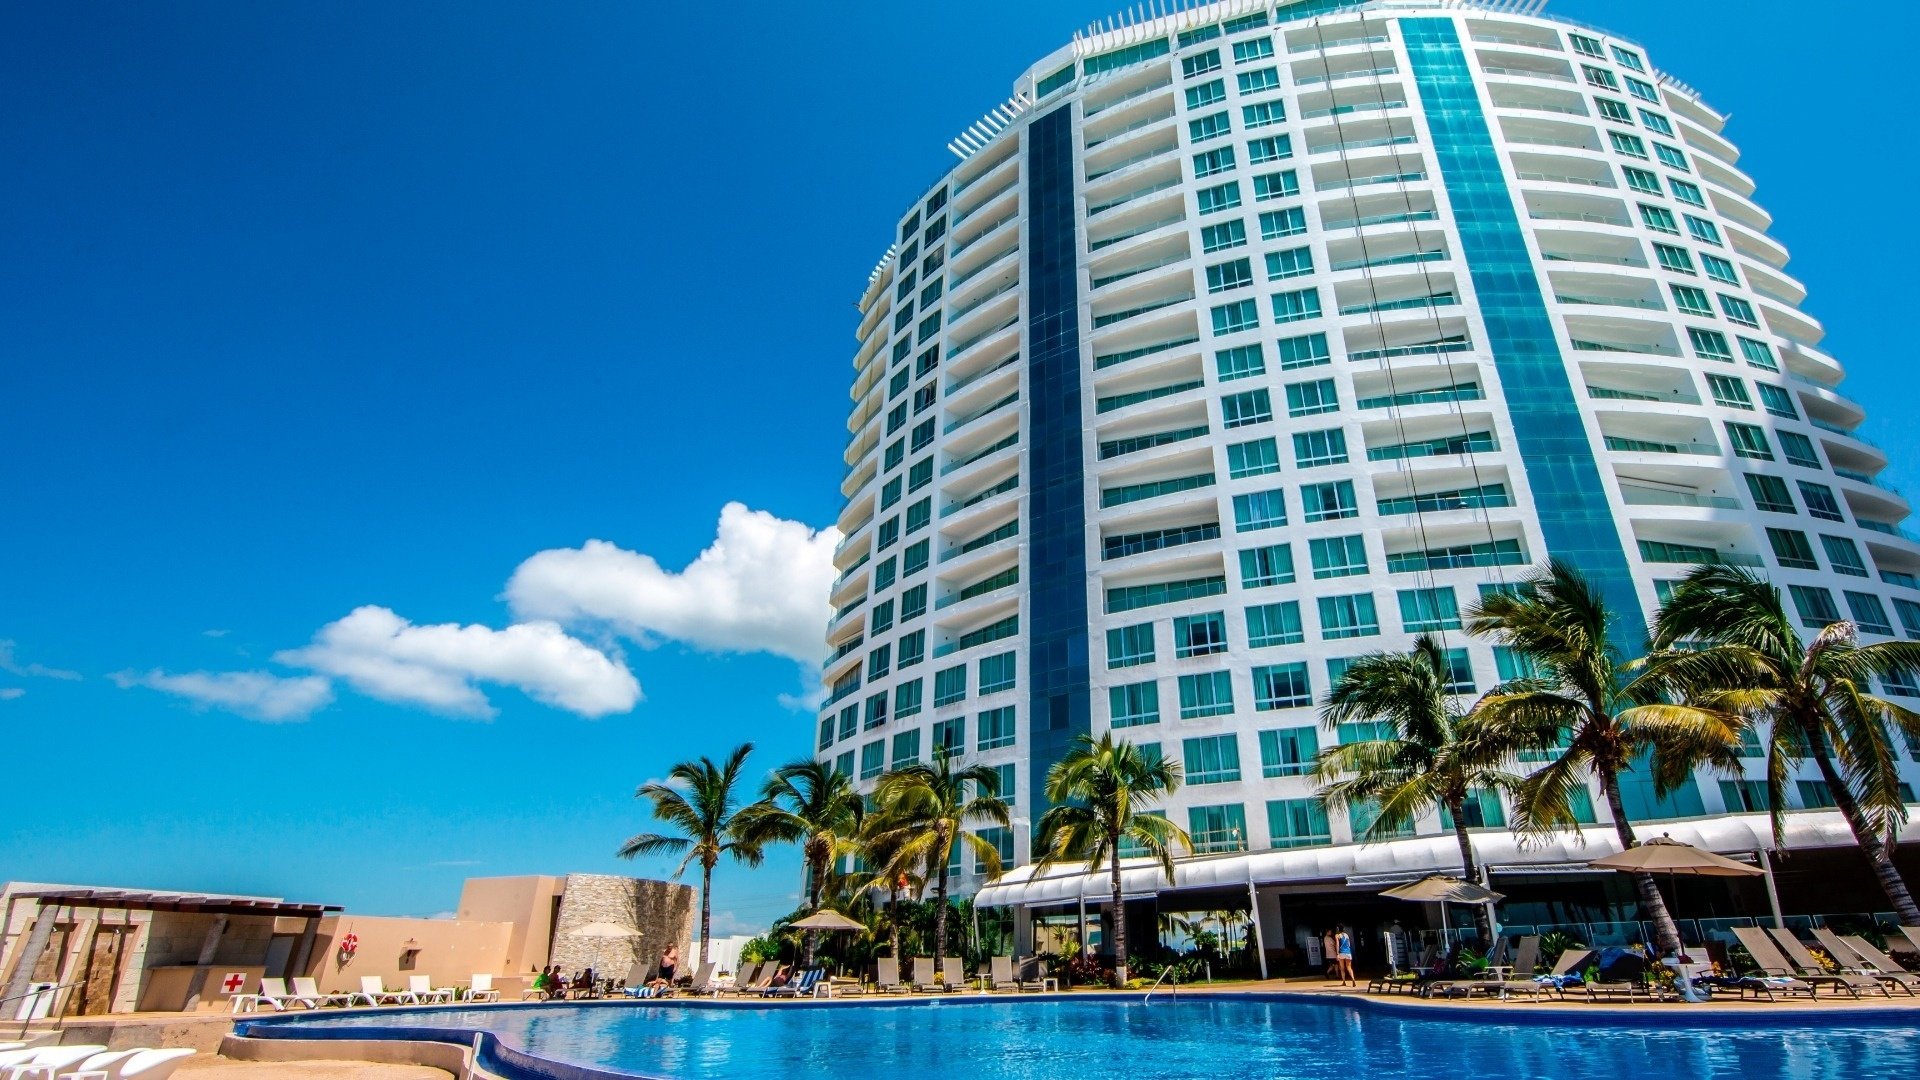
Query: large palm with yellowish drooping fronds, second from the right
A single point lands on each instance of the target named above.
(1585, 710)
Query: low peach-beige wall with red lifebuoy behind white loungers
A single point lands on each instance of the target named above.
(450, 950)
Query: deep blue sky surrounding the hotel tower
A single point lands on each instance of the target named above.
(366, 307)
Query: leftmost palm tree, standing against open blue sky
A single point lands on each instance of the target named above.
(700, 800)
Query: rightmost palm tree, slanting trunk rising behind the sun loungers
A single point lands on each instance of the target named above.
(1813, 697)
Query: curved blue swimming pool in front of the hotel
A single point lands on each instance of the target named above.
(1270, 1037)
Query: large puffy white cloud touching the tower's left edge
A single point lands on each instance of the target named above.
(759, 587)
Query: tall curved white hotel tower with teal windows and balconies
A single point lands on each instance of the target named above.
(1262, 335)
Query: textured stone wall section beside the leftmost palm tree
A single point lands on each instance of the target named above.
(658, 912)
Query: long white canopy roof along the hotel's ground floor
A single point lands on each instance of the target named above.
(1393, 862)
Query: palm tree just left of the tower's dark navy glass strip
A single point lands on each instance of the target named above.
(926, 812)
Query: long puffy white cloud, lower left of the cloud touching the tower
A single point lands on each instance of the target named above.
(385, 656)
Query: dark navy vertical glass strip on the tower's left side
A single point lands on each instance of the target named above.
(1057, 474)
